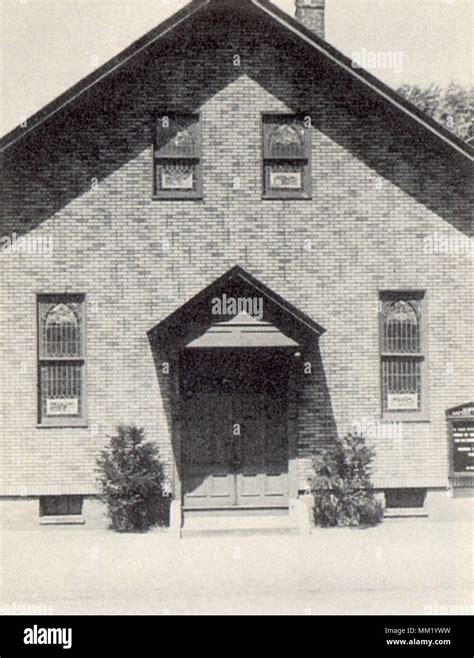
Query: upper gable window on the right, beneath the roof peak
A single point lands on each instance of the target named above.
(286, 157)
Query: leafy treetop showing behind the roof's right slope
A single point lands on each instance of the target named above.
(452, 107)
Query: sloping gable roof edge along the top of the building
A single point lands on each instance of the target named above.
(274, 13)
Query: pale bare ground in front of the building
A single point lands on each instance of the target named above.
(401, 567)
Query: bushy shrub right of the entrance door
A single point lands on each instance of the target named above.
(343, 494)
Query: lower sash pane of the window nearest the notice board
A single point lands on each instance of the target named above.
(401, 384)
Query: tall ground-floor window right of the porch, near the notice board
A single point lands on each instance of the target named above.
(402, 353)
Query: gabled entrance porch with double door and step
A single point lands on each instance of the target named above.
(234, 405)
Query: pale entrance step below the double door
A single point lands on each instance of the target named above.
(239, 522)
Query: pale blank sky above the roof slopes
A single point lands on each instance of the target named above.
(48, 45)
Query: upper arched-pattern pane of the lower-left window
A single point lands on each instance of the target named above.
(60, 330)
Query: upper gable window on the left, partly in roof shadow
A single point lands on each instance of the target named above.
(177, 157)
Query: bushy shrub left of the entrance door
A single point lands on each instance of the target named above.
(132, 481)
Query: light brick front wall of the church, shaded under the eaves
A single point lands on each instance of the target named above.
(380, 189)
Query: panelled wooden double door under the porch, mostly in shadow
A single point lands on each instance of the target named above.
(234, 444)
